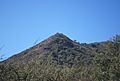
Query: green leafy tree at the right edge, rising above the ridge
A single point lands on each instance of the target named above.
(107, 65)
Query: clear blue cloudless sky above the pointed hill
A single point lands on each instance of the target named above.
(22, 22)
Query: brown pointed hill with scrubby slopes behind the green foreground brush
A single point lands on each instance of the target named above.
(59, 47)
